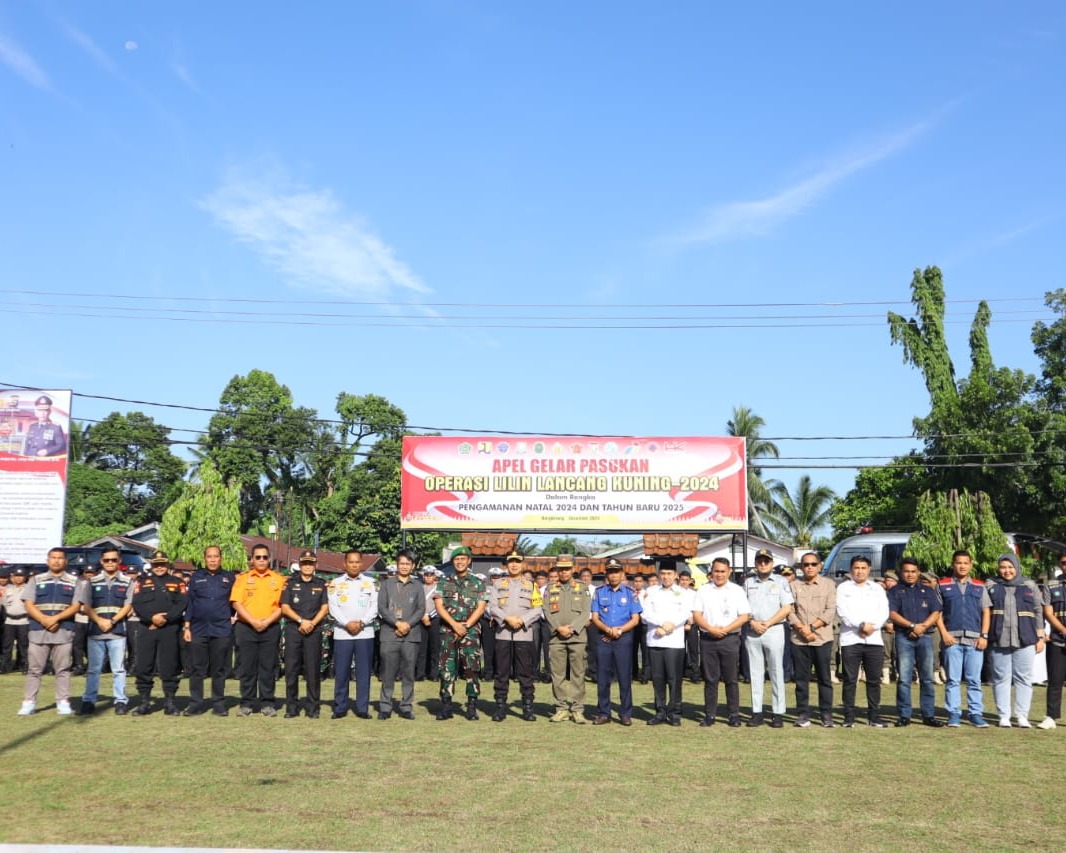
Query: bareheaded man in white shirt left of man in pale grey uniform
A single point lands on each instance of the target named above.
(720, 613)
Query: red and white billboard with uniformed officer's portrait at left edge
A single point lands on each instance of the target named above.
(35, 431)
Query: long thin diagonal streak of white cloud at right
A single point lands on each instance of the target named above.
(737, 220)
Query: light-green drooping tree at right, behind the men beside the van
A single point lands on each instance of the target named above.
(952, 521)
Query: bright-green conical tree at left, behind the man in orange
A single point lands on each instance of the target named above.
(207, 513)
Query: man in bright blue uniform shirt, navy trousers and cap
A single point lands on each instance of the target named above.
(616, 614)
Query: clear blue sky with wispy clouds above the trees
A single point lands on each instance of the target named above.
(605, 218)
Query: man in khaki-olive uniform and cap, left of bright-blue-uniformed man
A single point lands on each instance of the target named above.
(567, 610)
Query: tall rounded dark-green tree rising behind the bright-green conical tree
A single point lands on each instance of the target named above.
(257, 440)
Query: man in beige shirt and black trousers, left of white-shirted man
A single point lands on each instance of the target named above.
(814, 611)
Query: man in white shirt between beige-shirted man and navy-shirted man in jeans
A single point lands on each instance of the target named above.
(863, 608)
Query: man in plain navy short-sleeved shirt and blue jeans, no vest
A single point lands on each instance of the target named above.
(915, 610)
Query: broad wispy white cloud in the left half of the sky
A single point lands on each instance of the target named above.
(311, 238)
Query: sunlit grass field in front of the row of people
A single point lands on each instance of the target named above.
(514, 786)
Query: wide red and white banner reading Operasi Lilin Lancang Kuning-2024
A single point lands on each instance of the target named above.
(577, 482)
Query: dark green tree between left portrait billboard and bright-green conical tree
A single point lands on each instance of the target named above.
(137, 452)
